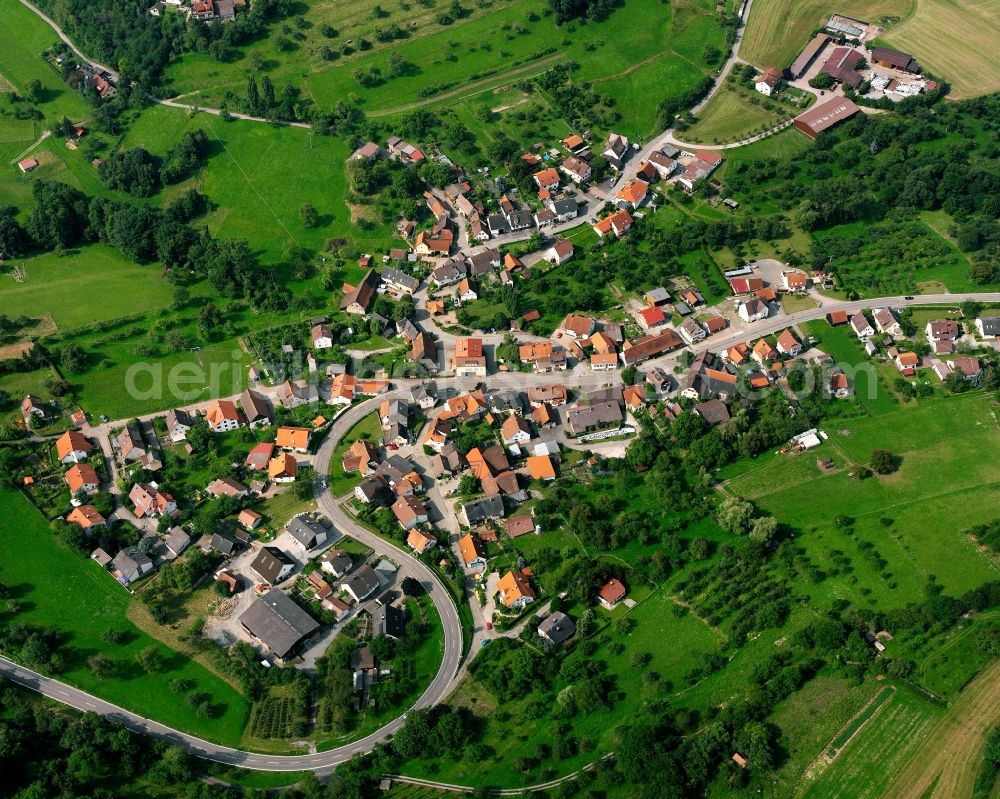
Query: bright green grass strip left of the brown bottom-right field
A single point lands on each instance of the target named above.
(865, 767)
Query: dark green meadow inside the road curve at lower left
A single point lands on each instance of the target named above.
(46, 579)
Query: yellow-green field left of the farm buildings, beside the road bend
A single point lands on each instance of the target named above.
(778, 29)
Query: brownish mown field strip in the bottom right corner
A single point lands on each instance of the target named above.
(945, 765)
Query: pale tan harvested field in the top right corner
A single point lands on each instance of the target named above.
(958, 40)
